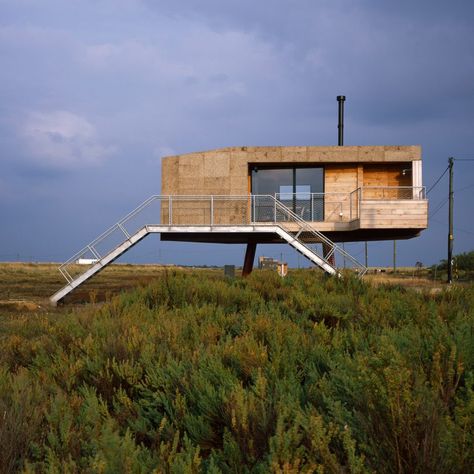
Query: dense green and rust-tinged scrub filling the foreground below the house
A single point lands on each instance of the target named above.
(196, 373)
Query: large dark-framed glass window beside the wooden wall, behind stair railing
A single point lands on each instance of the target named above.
(298, 187)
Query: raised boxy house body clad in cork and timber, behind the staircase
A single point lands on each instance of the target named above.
(348, 192)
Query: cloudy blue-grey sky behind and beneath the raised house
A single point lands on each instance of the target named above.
(94, 92)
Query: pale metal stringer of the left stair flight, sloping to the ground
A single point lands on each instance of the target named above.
(126, 245)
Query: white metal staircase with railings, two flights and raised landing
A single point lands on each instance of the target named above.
(168, 214)
